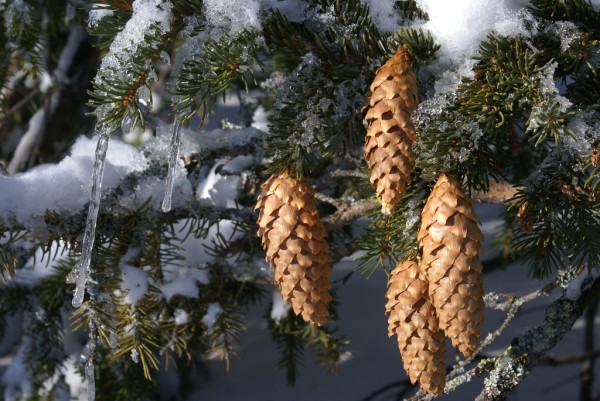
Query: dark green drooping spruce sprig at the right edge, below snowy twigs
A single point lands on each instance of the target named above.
(558, 222)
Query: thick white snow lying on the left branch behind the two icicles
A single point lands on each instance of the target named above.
(132, 176)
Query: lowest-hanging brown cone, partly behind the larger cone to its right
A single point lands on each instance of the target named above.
(412, 318)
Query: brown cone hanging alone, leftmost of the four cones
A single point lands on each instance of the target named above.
(294, 238)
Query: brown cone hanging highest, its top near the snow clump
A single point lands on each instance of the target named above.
(390, 131)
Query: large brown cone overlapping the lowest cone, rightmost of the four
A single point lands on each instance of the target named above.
(451, 242)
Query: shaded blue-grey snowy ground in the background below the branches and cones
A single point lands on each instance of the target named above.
(375, 363)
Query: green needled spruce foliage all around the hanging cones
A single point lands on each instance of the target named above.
(527, 115)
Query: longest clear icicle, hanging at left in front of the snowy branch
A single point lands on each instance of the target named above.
(90, 224)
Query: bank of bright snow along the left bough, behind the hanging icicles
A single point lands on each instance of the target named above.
(26, 196)
